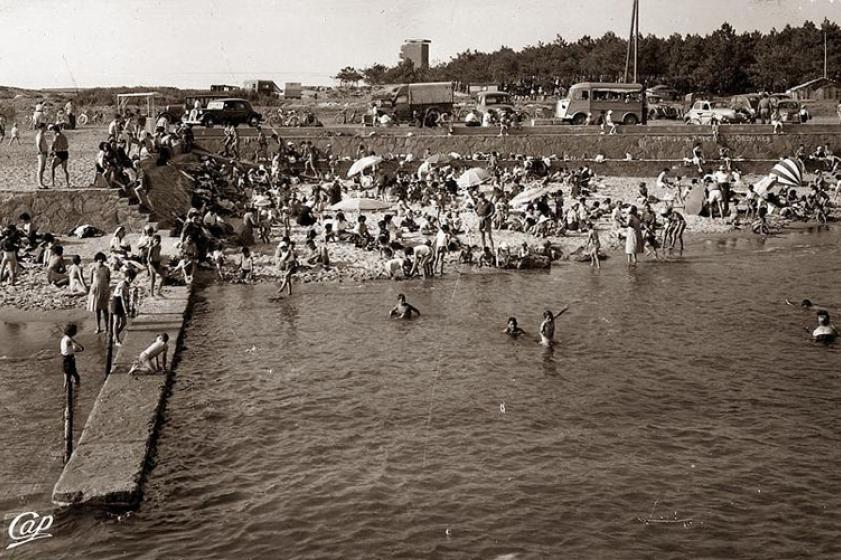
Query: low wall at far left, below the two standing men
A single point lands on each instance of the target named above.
(61, 210)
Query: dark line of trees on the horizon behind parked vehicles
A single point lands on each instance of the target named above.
(722, 62)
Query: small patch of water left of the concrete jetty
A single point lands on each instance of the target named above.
(32, 402)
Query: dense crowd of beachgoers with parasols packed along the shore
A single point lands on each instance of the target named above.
(282, 213)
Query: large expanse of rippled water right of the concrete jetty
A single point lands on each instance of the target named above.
(317, 428)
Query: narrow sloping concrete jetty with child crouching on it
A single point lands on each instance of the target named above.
(114, 453)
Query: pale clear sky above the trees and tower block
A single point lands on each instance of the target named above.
(193, 43)
